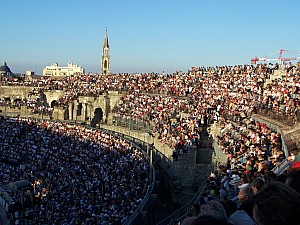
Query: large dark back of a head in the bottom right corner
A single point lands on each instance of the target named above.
(276, 204)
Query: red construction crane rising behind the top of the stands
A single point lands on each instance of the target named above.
(280, 60)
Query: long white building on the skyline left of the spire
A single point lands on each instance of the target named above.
(55, 70)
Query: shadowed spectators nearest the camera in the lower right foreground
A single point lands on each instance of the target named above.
(262, 199)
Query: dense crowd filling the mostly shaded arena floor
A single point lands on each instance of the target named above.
(80, 175)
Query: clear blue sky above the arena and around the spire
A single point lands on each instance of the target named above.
(145, 36)
